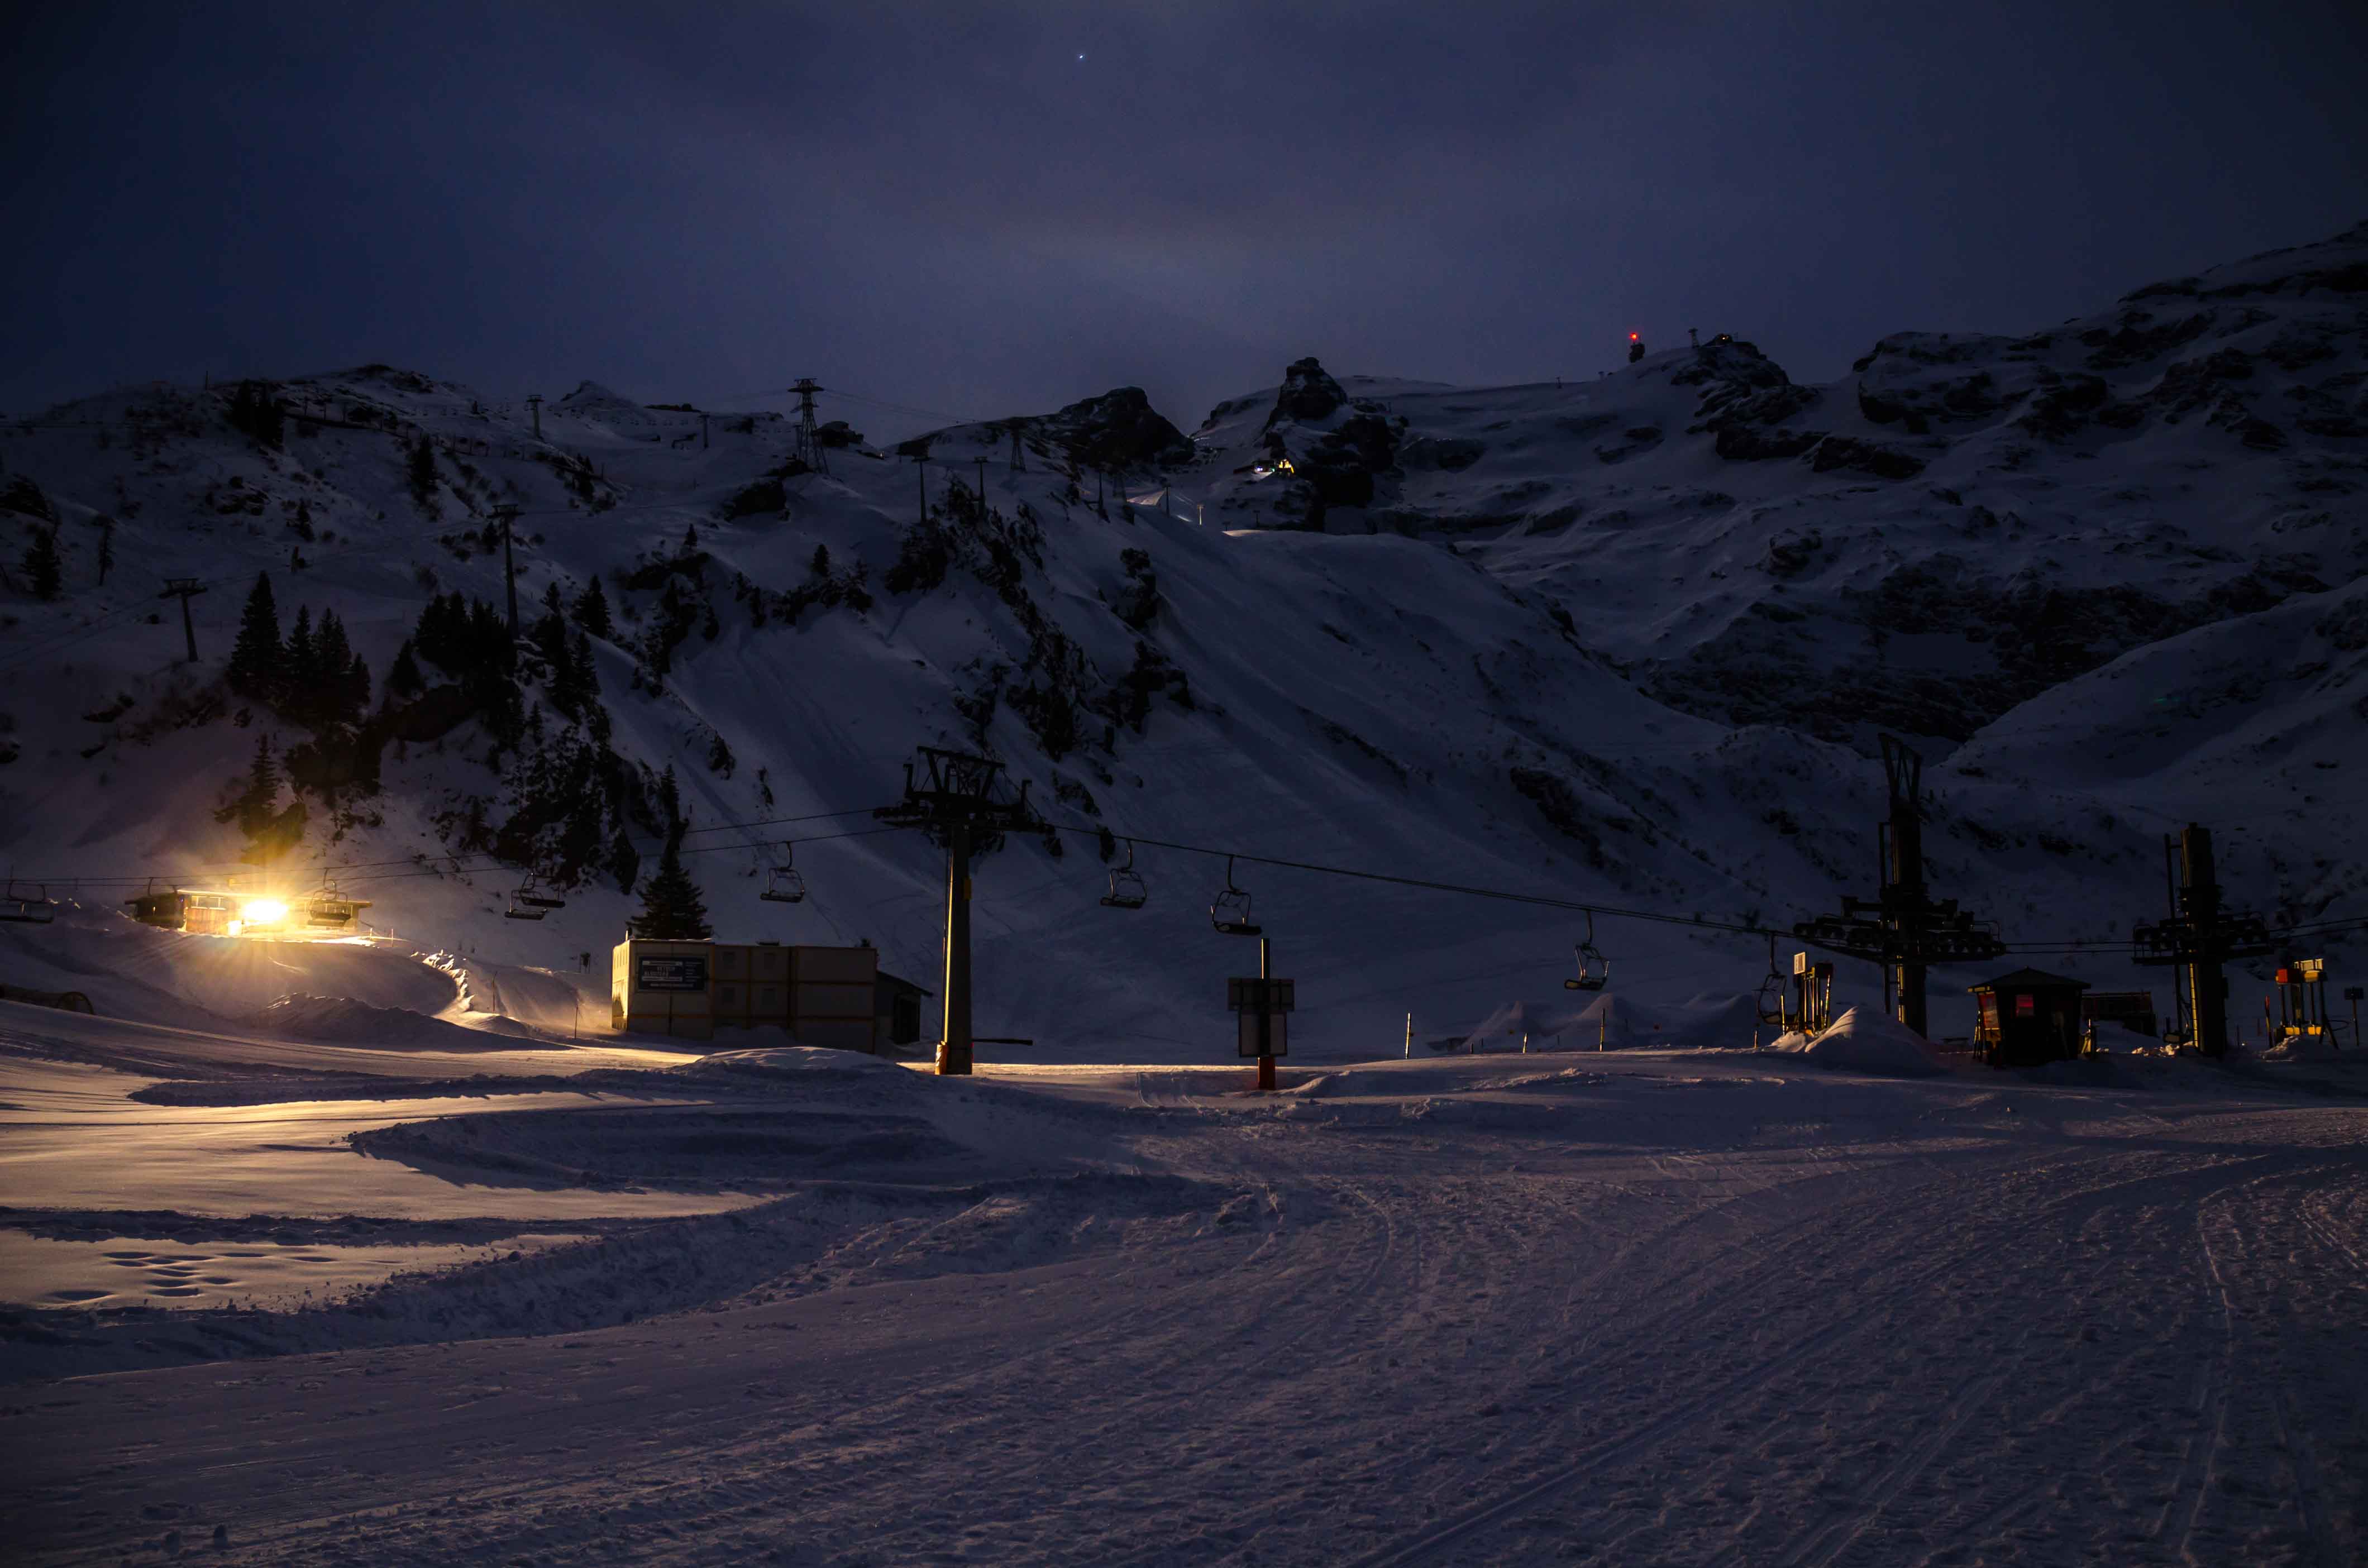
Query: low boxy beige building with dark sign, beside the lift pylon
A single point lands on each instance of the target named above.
(818, 996)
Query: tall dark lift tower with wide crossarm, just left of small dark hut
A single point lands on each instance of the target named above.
(1903, 927)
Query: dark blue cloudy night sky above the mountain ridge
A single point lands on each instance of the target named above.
(1000, 210)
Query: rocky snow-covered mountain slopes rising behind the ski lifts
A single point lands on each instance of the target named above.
(1619, 641)
